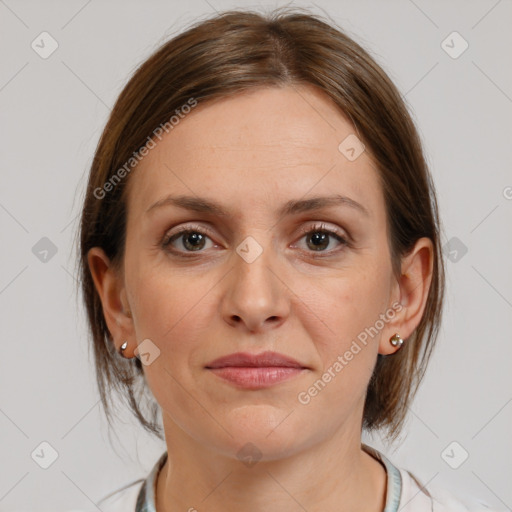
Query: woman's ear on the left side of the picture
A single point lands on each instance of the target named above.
(110, 287)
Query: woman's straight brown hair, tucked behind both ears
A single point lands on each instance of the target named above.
(232, 52)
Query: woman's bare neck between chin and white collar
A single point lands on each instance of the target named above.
(334, 475)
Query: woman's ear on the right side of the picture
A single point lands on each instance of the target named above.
(411, 290)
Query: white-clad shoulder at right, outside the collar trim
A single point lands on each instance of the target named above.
(416, 497)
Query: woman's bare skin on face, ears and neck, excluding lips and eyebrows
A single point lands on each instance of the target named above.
(252, 153)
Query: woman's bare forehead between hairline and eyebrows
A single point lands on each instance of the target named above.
(269, 144)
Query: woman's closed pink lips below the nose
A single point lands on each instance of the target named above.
(255, 371)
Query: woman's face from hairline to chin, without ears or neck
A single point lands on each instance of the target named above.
(262, 275)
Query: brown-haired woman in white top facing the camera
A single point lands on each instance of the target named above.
(260, 250)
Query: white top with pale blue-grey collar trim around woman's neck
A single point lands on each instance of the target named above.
(404, 494)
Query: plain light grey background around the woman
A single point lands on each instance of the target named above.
(52, 113)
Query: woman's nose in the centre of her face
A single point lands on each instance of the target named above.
(255, 299)
